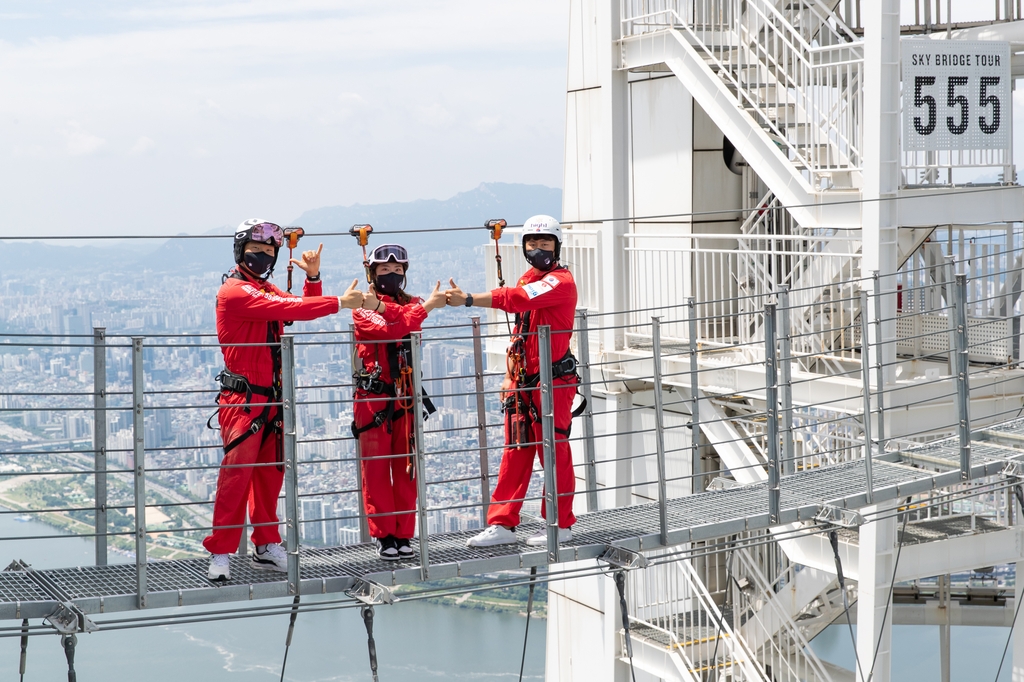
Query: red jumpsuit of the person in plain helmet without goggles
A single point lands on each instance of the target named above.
(552, 299)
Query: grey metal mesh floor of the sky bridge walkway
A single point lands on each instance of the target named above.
(714, 511)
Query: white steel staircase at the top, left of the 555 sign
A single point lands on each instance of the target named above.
(790, 96)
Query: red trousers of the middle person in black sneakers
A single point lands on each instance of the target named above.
(388, 488)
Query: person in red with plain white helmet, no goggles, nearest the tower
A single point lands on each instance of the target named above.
(545, 295)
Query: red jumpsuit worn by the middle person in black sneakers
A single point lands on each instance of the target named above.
(388, 488)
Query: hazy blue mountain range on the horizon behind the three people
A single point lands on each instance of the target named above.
(516, 203)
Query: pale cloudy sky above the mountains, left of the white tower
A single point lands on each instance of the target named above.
(182, 116)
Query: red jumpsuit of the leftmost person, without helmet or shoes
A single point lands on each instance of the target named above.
(250, 311)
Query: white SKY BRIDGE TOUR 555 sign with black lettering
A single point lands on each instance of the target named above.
(956, 96)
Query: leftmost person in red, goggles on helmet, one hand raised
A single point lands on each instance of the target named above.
(251, 311)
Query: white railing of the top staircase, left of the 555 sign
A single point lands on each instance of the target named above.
(807, 98)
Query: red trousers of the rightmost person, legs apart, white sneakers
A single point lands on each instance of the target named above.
(518, 464)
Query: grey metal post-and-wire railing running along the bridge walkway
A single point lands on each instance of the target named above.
(662, 421)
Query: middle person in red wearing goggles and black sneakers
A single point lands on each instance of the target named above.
(382, 414)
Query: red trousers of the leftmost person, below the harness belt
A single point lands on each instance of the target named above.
(260, 487)
